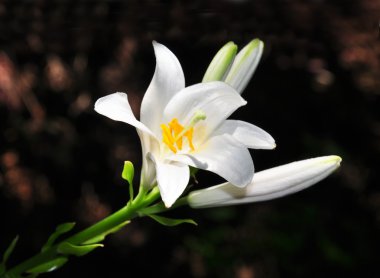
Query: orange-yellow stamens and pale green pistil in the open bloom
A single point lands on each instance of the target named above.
(173, 132)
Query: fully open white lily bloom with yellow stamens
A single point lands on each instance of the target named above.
(181, 127)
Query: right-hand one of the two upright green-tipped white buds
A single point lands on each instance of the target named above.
(245, 65)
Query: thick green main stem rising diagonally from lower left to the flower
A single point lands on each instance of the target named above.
(130, 211)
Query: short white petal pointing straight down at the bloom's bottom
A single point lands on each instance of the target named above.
(172, 179)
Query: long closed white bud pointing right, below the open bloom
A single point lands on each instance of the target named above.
(268, 184)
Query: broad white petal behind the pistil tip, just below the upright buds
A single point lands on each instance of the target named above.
(216, 99)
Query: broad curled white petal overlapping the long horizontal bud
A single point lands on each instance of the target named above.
(224, 156)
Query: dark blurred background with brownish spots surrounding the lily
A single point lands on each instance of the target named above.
(316, 91)
